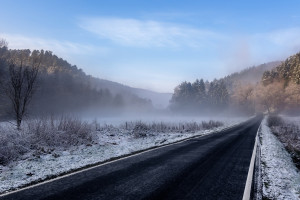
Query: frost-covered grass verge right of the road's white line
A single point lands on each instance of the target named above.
(280, 177)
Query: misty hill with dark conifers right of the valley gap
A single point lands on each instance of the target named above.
(209, 97)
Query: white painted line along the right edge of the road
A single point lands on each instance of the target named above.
(248, 186)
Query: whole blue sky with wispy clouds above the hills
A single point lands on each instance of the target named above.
(155, 44)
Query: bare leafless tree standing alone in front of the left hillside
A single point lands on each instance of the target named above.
(20, 87)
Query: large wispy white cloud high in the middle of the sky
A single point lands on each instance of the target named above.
(146, 33)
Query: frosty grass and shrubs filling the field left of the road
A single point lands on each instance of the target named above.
(49, 147)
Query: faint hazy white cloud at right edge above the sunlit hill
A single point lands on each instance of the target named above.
(248, 50)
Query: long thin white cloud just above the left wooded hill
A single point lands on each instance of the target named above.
(58, 47)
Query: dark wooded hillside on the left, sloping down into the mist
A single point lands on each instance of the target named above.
(59, 87)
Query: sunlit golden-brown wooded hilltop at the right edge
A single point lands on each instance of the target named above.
(287, 72)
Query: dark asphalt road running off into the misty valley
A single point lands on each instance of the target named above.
(210, 167)
